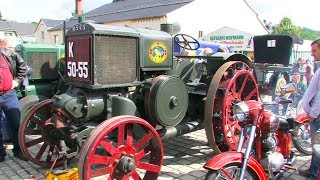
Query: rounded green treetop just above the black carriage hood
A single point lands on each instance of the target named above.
(287, 27)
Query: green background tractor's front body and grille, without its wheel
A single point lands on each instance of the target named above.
(46, 68)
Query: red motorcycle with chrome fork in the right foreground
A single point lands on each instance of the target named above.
(264, 147)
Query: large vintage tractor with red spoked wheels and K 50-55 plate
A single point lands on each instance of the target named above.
(127, 92)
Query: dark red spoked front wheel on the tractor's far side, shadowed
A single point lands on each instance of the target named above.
(36, 142)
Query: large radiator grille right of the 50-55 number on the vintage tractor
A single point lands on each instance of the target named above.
(115, 60)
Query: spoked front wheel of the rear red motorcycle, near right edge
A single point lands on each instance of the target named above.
(302, 139)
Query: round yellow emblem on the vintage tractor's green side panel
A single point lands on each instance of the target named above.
(158, 52)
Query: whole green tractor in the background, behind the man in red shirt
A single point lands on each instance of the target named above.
(45, 76)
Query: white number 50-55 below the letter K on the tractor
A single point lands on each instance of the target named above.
(79, 69)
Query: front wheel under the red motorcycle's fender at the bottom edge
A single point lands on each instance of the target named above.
(233, 171)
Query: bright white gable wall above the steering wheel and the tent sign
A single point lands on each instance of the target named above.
(210, 15)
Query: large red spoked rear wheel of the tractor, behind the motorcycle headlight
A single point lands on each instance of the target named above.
(232, 83)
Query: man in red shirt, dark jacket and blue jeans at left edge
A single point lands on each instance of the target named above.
(12, 71)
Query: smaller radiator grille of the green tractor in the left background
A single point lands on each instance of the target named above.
(43, 64)
